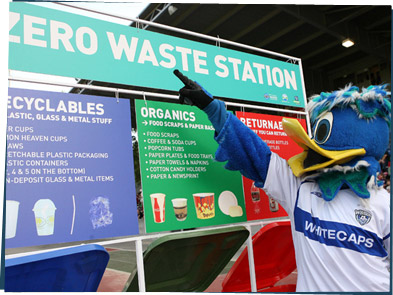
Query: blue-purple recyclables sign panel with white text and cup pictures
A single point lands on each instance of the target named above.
(70, 171)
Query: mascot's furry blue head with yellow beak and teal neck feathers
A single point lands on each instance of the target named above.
(350, 133)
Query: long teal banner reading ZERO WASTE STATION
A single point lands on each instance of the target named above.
(54, 42)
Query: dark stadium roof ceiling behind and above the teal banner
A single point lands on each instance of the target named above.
(313, 33)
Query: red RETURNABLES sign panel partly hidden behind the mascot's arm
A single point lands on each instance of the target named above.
(269, 128)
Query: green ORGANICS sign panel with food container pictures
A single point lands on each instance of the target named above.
(183, 186)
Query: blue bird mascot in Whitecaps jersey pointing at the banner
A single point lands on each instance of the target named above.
(340, 215)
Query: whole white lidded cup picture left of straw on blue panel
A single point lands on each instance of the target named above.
(44, 212)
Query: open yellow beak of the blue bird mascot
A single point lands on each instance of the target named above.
(295, 131)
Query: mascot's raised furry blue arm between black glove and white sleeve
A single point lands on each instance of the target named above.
(243, 150)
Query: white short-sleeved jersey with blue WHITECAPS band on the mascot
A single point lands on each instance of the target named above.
(341, 245)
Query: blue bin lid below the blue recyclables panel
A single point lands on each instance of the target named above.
(76, 269)
